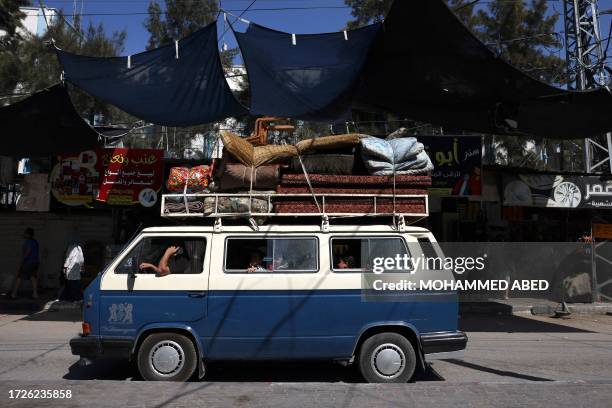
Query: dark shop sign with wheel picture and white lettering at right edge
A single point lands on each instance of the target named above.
(536, 190)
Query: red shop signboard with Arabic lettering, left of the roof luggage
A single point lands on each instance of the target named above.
(109, 176)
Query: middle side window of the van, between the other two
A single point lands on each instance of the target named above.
(276, 255)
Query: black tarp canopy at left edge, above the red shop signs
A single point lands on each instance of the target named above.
(44, 124)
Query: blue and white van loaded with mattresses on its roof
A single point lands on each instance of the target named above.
(276, 292)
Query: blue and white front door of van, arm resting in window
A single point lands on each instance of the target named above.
(133, 292)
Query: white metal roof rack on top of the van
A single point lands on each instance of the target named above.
(262, 205)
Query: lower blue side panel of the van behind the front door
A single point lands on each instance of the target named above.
(310, 324)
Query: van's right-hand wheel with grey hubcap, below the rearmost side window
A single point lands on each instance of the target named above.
(387, 358)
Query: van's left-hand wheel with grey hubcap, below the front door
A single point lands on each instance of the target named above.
(167, 357)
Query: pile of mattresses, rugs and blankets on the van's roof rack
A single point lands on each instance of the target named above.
(352, 165)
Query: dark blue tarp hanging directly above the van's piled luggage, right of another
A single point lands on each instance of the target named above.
(313, 79)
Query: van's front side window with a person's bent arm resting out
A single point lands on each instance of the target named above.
(186, 256)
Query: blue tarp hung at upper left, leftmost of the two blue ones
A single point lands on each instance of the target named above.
(157, 86)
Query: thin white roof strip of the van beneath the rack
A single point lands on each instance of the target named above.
(287, 228)
